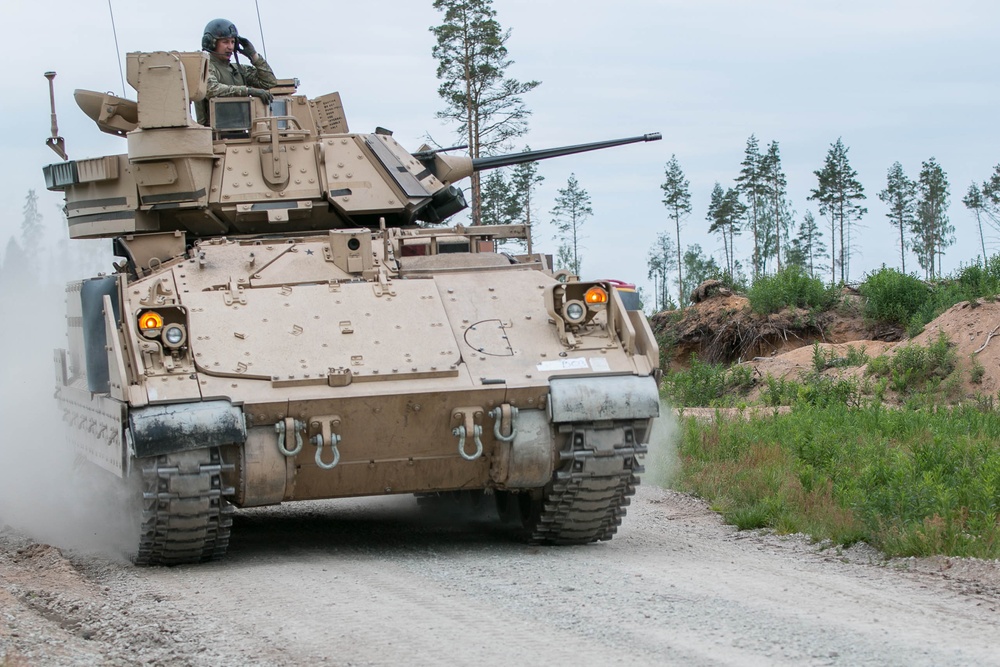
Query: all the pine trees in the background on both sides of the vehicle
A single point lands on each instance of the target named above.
(487, 110)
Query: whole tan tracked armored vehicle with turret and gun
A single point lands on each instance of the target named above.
(284, 326)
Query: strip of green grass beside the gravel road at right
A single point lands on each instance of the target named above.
(911, 483)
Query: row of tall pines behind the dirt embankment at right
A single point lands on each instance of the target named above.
(757, 206)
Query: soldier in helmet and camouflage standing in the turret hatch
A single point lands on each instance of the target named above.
(226, 79)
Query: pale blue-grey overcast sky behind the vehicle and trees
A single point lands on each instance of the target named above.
(897, 80)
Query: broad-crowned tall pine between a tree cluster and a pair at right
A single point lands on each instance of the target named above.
(837, 194)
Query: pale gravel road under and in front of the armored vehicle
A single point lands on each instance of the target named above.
(376, 583)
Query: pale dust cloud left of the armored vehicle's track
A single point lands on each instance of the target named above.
(46, 492)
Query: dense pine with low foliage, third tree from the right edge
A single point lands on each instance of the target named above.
(933, 230)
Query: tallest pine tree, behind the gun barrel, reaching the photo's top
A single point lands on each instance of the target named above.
(472, 63)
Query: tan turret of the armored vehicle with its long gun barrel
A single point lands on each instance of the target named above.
(291, 167)
